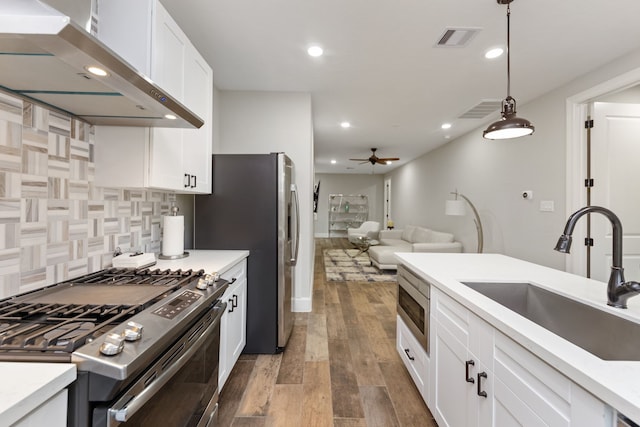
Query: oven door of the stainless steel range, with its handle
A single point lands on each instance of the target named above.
(179, 389)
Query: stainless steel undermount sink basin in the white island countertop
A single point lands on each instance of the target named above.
(602, 334)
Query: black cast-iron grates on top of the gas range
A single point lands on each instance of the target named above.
(32, 330)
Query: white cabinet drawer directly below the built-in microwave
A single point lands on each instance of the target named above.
(408, 348)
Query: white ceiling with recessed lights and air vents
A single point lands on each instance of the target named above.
(381, 70)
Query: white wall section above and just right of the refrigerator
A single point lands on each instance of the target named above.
(265, 122)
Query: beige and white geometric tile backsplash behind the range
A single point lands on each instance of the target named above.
(55, 224)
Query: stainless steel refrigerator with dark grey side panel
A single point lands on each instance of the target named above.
(254, 206)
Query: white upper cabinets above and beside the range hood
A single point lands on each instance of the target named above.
(146, 36)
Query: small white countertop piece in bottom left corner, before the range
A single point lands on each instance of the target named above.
(25, 386)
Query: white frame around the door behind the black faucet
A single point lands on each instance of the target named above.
(576, 111)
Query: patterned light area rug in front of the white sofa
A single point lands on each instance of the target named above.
(340, 266)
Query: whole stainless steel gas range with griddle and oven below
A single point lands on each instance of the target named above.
(145, 343)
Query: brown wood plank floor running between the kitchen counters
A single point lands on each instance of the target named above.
(340, 367)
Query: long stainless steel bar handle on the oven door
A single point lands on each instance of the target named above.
(127, 406)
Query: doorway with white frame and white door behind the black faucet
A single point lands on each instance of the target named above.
(604, 154)
